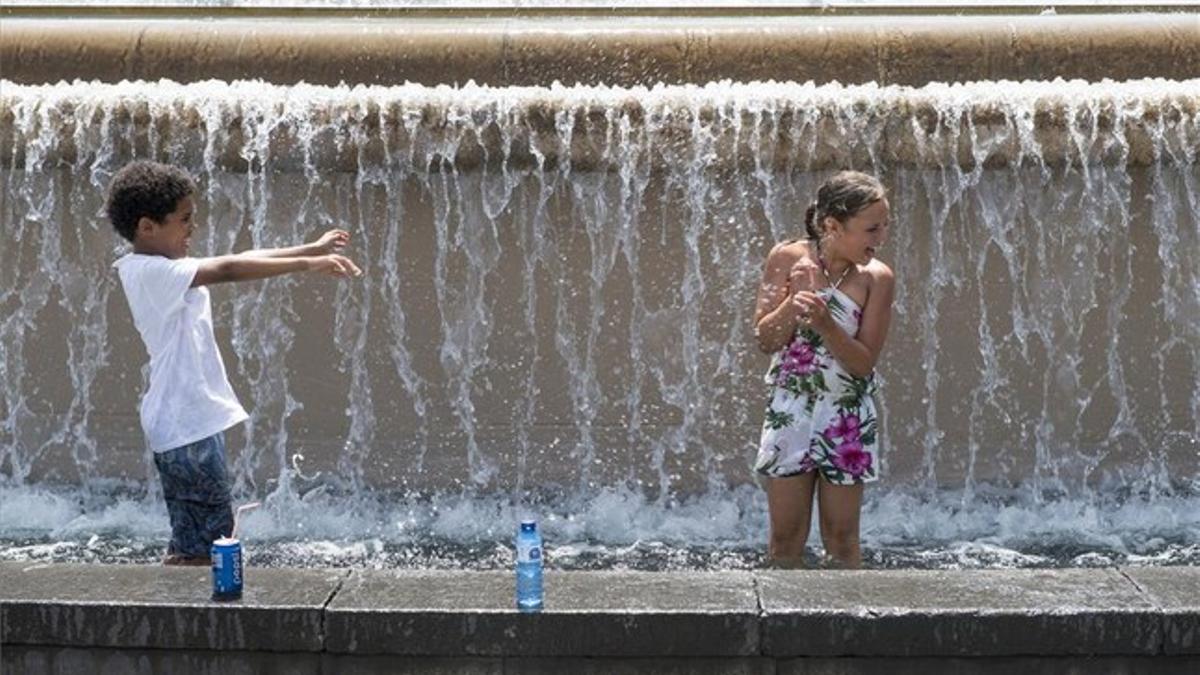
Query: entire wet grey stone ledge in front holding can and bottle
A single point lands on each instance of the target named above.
(67, 618)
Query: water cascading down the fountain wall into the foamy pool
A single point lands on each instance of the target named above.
(557, 312)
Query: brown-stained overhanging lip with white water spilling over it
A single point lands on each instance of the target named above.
(746, 129)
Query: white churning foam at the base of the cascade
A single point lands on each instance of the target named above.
(614, 525)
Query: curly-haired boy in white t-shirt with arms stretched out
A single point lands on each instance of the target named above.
(190, 404)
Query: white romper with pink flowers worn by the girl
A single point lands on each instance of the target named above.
(820, 417)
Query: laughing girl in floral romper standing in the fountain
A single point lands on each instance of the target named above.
(824, 310)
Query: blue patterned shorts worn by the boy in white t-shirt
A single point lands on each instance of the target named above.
(196, 486)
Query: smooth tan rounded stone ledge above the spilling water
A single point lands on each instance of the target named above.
(616, 51)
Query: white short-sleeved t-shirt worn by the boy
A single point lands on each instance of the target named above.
(190, 397)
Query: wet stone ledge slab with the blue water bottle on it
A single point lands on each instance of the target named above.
(587, 614)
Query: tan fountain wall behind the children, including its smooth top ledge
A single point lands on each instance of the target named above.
(1046, 320)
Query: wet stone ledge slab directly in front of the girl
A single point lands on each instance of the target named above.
(956, 613)
